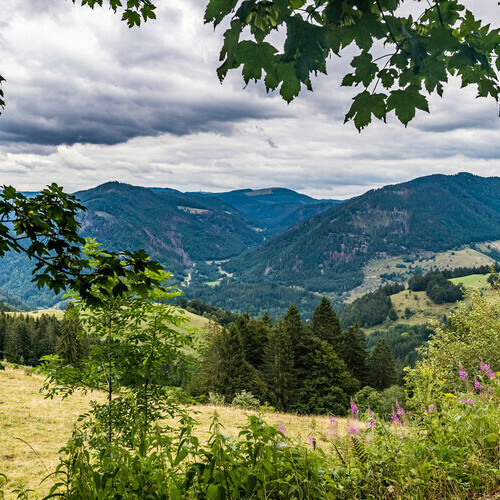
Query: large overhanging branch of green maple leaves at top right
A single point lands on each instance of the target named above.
(400, 58)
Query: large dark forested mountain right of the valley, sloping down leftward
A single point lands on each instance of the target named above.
(327, 252)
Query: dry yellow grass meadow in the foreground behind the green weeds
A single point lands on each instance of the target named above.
(33, 429)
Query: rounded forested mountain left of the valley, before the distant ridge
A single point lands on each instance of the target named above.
(172, 227)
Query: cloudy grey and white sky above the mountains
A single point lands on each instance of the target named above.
(90, 101)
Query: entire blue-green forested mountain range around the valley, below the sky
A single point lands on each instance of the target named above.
(262, 249)
